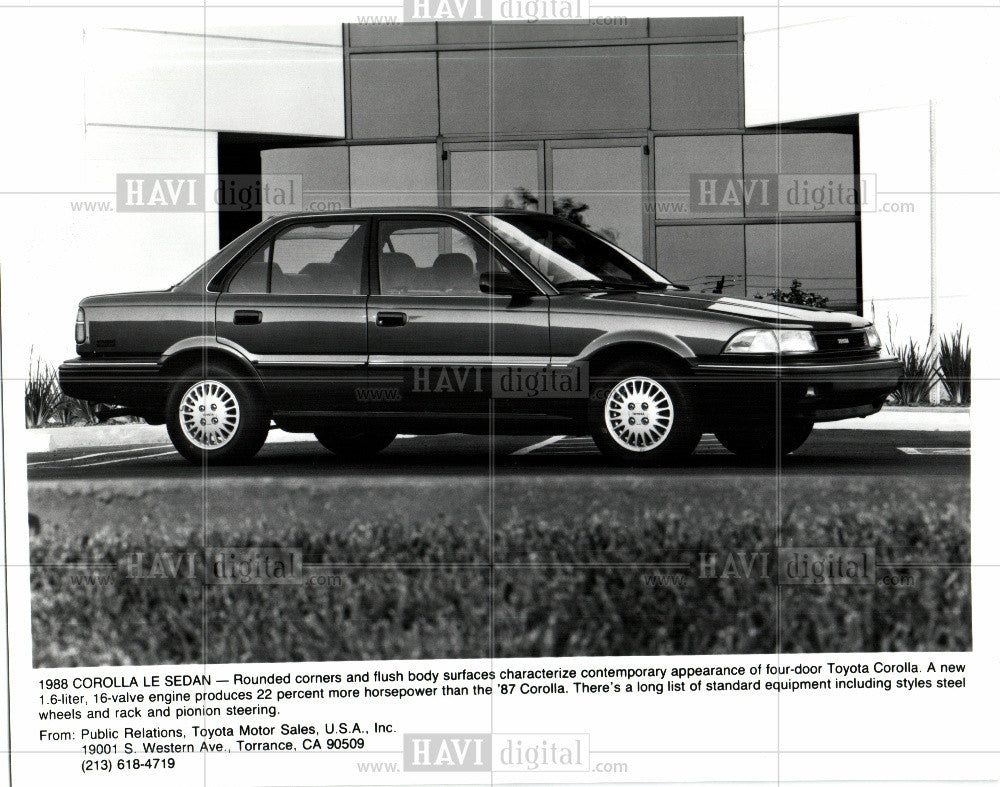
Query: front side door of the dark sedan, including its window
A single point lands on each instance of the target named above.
(432, 333)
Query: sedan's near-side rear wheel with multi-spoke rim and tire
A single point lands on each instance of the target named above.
(215, 416)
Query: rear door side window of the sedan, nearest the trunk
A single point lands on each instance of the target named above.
(307, 259)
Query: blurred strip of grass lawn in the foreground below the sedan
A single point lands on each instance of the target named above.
(408, 569)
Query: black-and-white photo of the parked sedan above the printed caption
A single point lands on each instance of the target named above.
(515, 339)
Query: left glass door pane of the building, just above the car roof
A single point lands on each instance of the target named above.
(502, 178)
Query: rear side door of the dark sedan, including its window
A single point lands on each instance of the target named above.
(296, 306)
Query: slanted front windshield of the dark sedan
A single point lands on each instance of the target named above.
(570, 256)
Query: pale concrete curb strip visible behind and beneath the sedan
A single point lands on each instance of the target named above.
(915, 419)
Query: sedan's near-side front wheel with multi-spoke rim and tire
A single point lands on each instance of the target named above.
(640, 415)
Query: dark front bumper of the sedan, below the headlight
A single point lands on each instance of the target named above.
(809, 389)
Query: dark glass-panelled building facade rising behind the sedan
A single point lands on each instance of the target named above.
(634, 128)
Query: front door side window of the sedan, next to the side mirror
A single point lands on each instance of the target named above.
(431, 257)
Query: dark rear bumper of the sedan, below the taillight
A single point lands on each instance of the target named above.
(127, 383)
